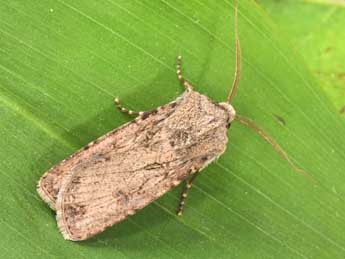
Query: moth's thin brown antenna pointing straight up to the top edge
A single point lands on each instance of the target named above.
(238, 59)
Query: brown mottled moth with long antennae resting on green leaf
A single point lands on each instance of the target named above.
(133, 165)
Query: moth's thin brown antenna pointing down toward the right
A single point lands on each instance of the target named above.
(275, 145)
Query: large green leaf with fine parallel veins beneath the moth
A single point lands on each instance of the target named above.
(61, 64)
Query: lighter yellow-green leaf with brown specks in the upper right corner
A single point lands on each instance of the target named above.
(320, 39)
